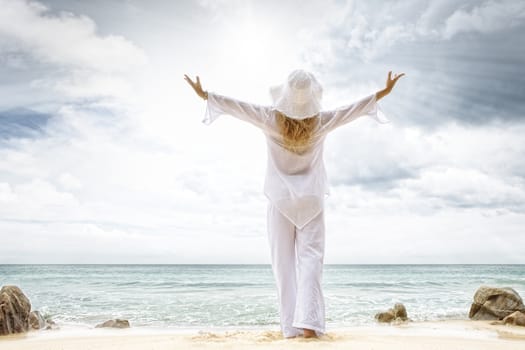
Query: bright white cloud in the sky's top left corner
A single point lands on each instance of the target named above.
(65, 39)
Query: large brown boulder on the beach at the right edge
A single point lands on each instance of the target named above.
(491, 303)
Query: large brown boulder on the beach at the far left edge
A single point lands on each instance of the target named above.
(14, 310)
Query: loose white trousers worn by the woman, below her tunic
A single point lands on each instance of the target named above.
(297, 263)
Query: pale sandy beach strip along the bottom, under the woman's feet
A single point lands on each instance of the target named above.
(450, 335)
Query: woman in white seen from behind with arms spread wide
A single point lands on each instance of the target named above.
(296, 183)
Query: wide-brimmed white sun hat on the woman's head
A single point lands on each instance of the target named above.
(299, 97)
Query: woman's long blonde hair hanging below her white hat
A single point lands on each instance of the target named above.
(297, 134)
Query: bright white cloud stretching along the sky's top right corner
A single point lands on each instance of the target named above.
(370, 31)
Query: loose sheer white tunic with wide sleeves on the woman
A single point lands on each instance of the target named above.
(295, 183)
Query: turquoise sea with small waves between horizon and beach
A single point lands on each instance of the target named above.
(195, 296)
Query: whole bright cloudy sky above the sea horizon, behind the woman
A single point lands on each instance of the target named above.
(104, 157)
